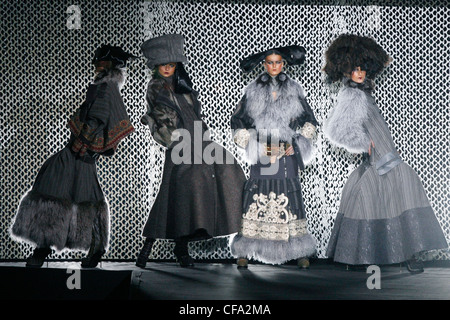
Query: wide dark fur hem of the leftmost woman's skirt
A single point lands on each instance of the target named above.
(50, 222)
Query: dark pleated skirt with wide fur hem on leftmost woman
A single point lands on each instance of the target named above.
(65, 206)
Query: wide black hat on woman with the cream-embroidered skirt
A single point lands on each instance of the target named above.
(294, 55)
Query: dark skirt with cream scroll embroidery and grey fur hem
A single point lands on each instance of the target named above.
(273, 227)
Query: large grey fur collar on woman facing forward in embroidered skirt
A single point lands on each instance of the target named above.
(271, 114)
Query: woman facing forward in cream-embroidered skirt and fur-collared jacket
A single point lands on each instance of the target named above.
(274, 123)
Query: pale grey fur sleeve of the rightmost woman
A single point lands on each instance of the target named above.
(344, 126)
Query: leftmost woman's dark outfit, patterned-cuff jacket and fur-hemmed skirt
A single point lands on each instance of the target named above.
(66, 204)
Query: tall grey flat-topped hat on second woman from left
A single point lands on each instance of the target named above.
(164, 49)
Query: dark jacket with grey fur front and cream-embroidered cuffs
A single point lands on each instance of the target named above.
(288, 117)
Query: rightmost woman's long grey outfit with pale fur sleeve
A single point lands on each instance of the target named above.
(384, 216)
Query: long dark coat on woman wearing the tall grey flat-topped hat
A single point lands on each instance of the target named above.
(192, 196)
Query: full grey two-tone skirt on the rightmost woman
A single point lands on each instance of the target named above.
(383, 219)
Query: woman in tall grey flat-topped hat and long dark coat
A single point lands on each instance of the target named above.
(198, 198)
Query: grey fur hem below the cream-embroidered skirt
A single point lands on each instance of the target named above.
(273, 252)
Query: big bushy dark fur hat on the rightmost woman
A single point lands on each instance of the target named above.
(350, 51)
